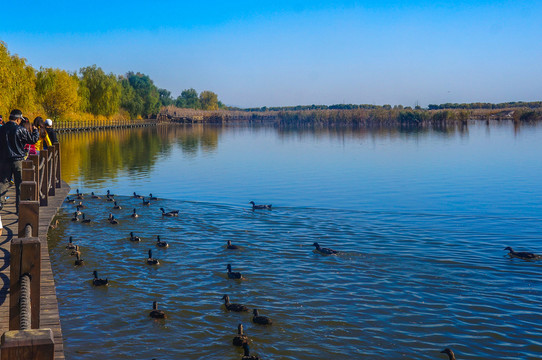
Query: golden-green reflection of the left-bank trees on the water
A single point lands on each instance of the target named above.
(102, 155)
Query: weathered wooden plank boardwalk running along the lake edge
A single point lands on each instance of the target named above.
(49, 315)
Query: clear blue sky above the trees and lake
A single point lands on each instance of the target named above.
(272, 53)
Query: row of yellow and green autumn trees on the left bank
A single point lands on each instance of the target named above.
(91, 92)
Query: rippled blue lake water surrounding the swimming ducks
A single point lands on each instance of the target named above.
(420, 217)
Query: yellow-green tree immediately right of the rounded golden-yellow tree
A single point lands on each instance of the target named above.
(104, 91)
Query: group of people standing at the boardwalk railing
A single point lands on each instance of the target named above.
(19, 138)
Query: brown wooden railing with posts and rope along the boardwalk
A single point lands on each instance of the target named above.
(25, 339)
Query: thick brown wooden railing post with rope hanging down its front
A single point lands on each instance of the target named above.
(25, 259)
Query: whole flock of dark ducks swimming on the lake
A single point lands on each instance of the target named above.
(241, 339)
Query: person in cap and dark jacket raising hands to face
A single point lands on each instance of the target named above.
(13, 139)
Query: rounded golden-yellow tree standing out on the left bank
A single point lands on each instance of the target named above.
(56, 92)
